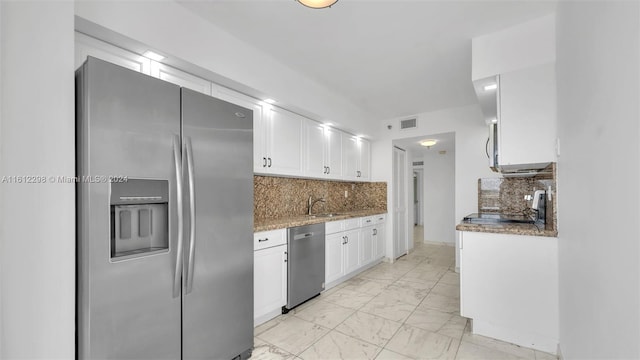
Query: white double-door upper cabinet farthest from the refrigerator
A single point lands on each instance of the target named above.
(356, 158)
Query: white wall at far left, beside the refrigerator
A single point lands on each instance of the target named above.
(37, 237)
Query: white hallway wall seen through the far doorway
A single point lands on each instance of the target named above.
(439, 192)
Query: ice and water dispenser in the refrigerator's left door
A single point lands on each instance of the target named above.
(139, 218)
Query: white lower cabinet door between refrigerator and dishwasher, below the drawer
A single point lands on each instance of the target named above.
(269, 279)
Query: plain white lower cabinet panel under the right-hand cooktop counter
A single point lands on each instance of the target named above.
(509, 287)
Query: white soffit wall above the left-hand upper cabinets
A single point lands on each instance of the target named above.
(172, 29)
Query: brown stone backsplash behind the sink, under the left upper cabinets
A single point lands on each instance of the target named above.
(278, 197)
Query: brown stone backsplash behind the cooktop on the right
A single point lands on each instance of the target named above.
(506, 195)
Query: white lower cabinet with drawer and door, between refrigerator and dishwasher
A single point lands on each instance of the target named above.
(269, 277)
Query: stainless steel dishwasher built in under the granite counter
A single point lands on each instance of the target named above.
(305, 266)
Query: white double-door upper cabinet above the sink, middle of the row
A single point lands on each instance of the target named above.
(322, 151)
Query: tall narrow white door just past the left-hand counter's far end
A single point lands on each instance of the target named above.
(399, 203)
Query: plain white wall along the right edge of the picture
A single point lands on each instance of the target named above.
(598, 69)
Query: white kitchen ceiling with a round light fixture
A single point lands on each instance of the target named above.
(390, 58)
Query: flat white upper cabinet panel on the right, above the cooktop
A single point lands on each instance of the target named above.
(527, 123)
